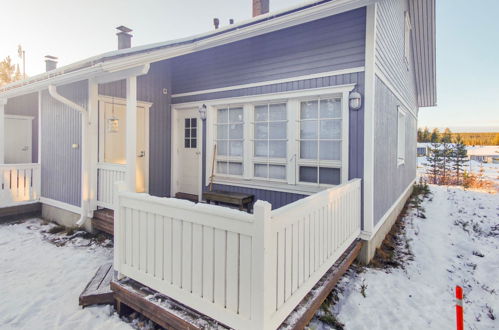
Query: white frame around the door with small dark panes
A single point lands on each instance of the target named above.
(175, 161)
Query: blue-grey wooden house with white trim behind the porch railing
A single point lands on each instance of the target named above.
(262, 106)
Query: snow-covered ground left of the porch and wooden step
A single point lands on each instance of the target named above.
(40, 282)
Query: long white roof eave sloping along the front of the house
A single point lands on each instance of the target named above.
(125, 59)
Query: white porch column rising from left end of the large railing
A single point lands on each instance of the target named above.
(131, 132)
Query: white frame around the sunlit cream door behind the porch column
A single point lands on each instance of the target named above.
(121, 101)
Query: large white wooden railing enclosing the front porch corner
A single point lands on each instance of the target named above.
(248, 271)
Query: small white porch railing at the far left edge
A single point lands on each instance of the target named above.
(19, 184)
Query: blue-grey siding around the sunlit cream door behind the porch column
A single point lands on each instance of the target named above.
(150, 88)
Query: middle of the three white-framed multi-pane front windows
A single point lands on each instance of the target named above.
(270, 141)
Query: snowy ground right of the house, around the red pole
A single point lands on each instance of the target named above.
(457, 244)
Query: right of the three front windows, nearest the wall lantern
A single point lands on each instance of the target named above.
(320, 141)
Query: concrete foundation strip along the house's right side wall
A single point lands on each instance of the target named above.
(370, 246)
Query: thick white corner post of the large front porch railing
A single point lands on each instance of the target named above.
(263, 285)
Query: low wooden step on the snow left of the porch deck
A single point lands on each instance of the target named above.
(98, 290)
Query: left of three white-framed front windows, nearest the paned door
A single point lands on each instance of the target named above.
(230, 128)
